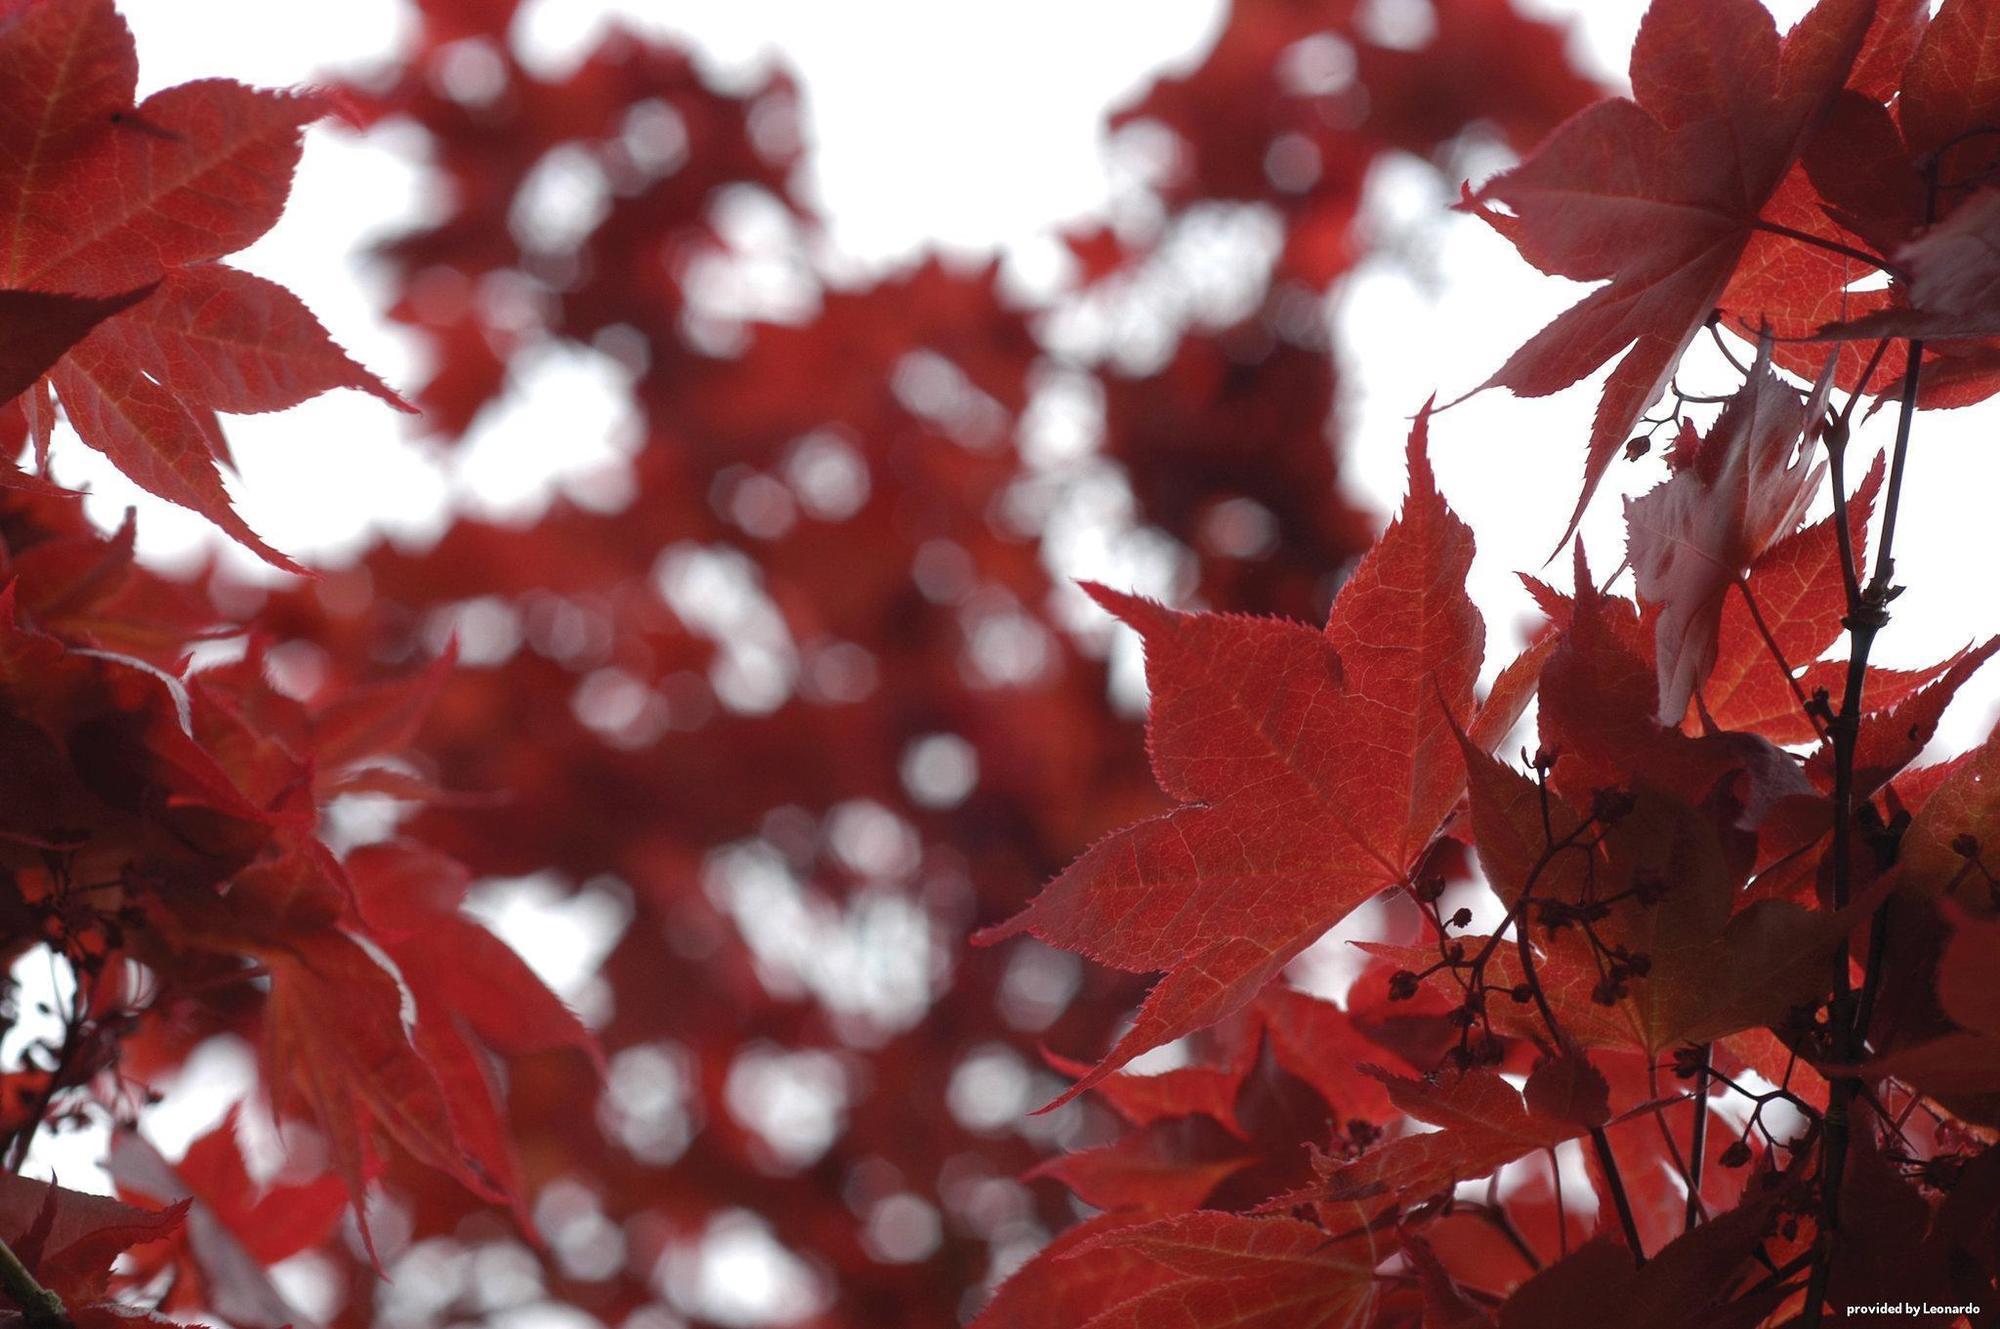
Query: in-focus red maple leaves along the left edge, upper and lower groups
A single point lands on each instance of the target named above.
(163, 830)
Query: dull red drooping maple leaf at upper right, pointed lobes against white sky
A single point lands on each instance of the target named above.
(1663, 193)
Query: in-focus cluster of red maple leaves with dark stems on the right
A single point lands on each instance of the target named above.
(1737, 946)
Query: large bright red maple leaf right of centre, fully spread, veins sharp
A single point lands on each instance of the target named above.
(1313, 772)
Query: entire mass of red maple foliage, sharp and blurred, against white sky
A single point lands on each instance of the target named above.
(803, 708)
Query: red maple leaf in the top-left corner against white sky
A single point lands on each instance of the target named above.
(111, 217)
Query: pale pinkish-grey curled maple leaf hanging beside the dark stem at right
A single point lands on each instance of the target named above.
(1693, 537)
